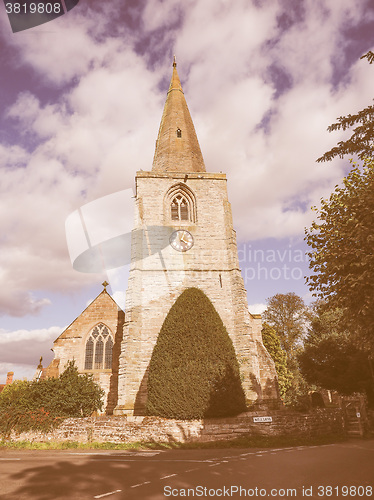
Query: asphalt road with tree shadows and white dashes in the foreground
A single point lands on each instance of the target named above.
(344, 470)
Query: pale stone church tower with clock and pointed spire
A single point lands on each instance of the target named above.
(183, 237)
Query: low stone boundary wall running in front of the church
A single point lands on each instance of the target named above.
(154, 429)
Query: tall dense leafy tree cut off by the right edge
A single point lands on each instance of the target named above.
(342, 257)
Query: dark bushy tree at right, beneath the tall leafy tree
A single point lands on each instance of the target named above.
(332, 360)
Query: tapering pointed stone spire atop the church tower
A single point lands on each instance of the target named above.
(177, 147)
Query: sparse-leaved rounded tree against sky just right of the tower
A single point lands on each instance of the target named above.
(288, 314)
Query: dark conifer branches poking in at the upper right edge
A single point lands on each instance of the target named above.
(361, 141)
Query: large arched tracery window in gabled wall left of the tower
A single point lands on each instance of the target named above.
(99, 349)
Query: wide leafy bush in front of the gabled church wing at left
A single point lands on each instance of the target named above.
(42, 405)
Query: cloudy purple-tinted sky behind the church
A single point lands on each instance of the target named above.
(80, 105)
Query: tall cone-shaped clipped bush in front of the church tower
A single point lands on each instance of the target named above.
(193, 371)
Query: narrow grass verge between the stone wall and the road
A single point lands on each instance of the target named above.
(240, 442)
